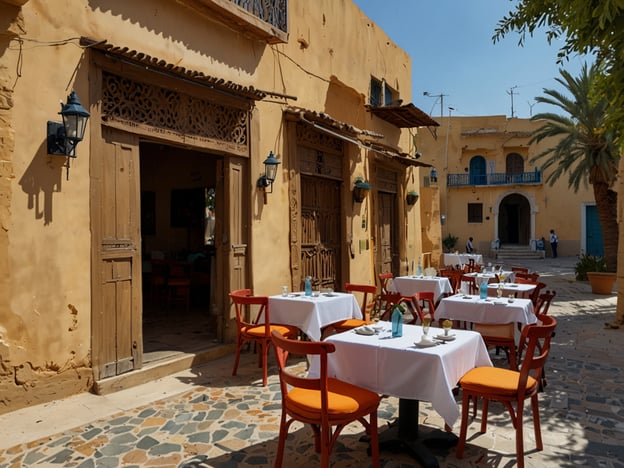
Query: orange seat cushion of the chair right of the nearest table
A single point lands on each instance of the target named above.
(494, 380)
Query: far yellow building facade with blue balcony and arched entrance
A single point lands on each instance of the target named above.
(491, 190)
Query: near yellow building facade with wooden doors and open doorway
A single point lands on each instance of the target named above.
(187, 100)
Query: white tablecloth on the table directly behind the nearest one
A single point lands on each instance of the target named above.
(490, 310)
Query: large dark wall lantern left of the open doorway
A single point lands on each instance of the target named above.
(64, 137)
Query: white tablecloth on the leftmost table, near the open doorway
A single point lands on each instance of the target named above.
(311, 314)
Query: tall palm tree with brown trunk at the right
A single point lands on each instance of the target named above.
(586, 150)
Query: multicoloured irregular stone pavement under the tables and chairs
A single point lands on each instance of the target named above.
(207, 418)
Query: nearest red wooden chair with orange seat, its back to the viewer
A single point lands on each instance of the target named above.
(321, 402)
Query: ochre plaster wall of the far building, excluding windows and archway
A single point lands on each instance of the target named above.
(494, 137)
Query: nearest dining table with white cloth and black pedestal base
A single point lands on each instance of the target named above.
(402, 368)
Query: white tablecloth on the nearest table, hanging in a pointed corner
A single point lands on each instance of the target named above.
(395, 366)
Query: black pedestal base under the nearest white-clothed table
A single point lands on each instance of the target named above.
(403, 435)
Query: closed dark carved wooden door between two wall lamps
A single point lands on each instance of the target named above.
(320, 232)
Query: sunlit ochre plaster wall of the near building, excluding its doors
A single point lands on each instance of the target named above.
(45, 238)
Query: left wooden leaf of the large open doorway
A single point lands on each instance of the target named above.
(116, 254)
